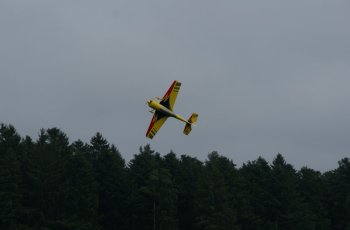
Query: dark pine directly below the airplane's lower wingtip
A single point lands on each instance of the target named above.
(153, 195)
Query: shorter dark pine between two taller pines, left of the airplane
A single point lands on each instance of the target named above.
(80, 190)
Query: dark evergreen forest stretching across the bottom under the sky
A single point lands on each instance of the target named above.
(50, 183)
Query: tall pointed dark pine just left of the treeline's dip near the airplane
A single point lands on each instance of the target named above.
(111, 182)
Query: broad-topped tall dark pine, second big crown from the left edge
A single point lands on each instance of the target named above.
(45, 178)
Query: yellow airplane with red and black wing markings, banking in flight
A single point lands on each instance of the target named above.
(163, 109)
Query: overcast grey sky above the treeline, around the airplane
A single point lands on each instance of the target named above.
(264, 76)
